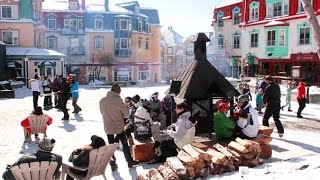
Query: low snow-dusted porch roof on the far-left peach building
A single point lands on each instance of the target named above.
(31, 51)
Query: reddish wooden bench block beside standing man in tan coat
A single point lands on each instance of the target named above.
(143, 150)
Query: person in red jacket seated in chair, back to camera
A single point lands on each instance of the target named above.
(36, 114)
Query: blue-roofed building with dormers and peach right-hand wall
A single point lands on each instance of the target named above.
(115, 42)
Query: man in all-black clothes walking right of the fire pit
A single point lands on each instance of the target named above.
(271, 98)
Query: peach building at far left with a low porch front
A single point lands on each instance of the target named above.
(23, 35)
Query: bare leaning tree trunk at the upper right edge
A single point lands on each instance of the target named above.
(312, 18)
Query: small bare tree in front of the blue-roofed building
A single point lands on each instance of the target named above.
(102, 59)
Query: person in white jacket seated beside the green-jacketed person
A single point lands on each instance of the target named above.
(248, 120)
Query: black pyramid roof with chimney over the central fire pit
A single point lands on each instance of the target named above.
(201, 80)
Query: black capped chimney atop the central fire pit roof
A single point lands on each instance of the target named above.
(200, 46)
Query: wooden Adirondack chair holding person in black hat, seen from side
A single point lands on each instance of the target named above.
(98, 161)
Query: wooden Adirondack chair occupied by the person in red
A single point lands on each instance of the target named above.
(38, 124)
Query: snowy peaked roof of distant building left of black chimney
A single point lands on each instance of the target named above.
(171, 38)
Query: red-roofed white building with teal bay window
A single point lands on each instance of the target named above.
(270, 37)
